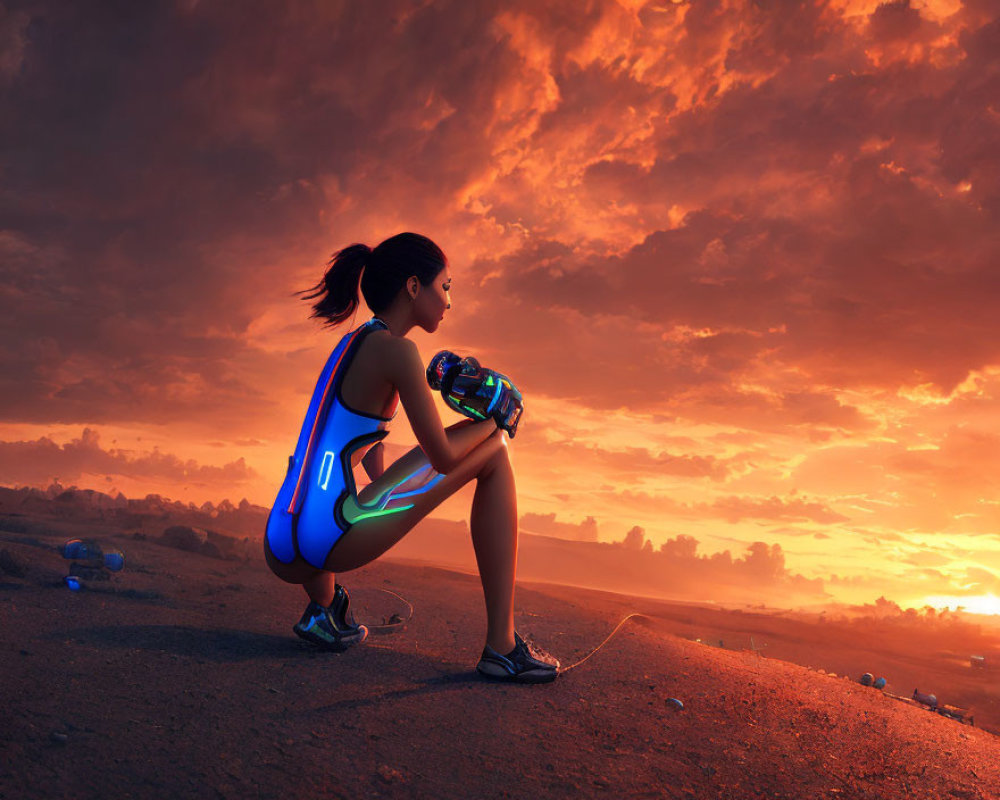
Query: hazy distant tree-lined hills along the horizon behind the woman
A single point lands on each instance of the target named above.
(674, 570)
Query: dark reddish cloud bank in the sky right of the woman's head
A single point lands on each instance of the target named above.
(831, 211)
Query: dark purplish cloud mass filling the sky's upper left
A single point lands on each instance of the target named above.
(165, 165)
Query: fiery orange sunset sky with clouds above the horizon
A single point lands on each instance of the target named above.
(740, 257)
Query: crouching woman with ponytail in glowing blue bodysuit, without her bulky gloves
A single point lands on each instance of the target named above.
(321, 525)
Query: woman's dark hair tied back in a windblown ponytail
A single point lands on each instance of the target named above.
(386, 269)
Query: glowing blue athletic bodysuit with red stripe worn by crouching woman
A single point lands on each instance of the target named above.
(318, 500)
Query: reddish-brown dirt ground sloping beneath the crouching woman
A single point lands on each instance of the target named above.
(180, 677)
